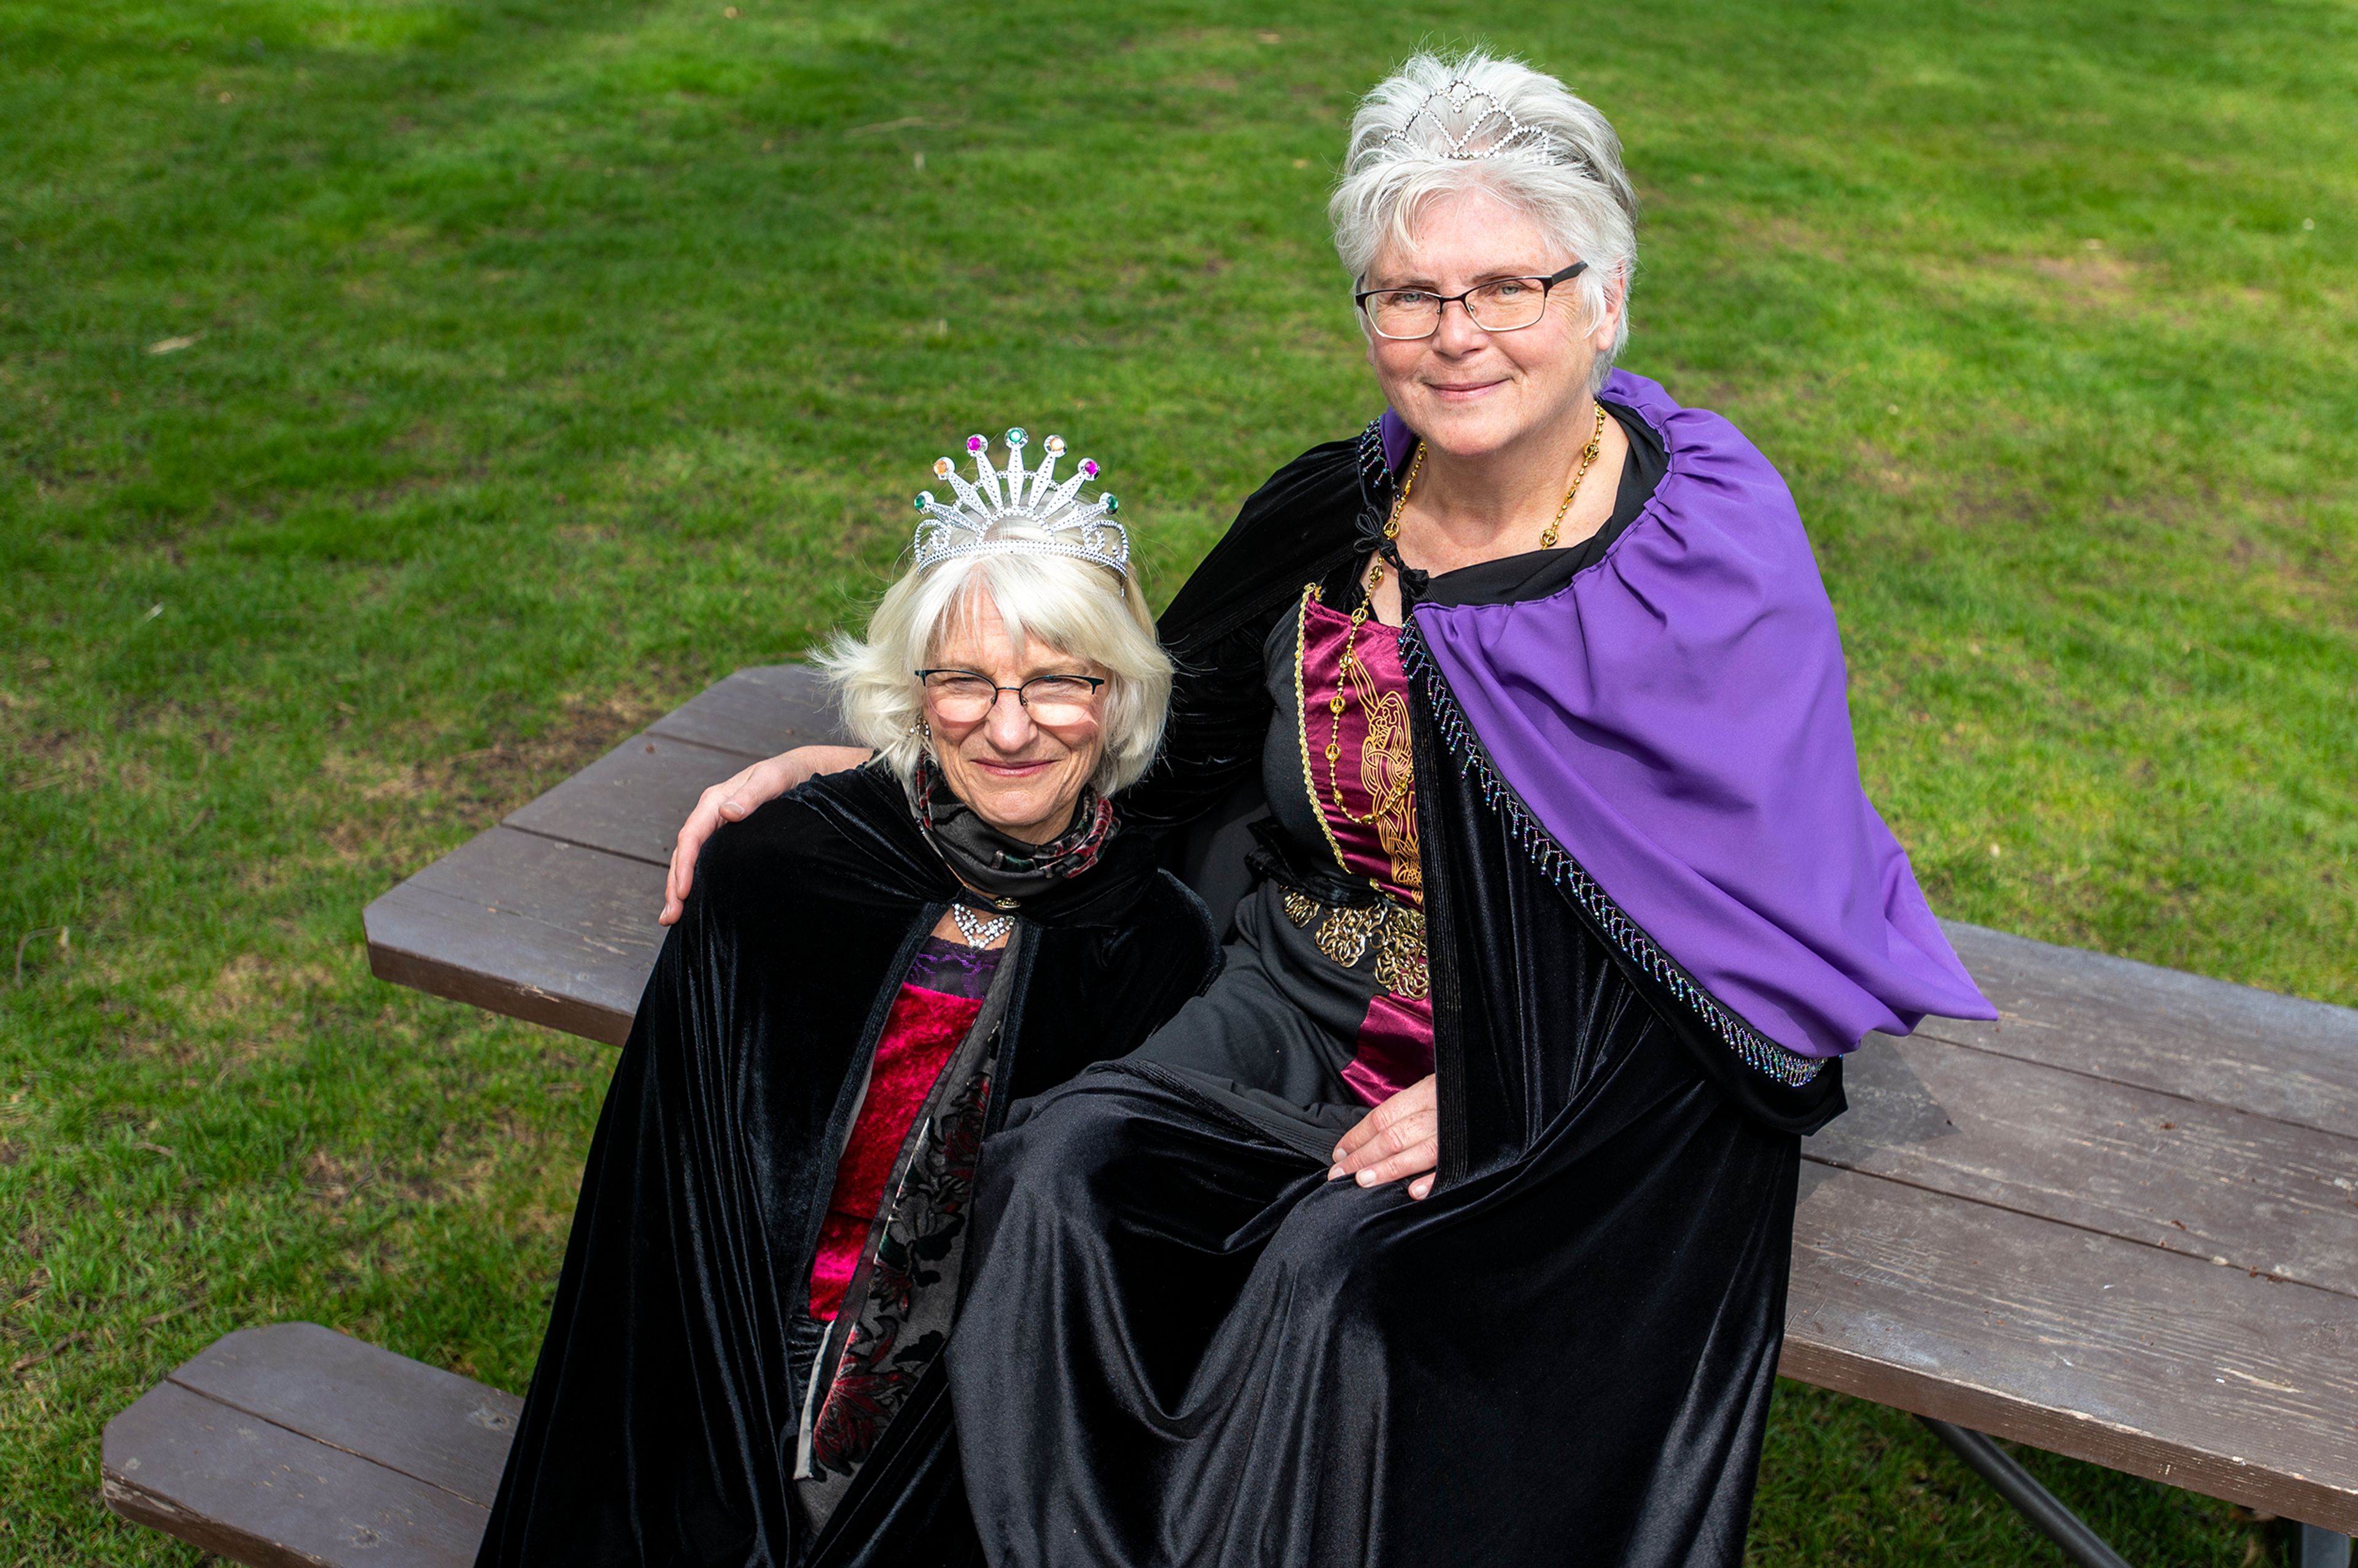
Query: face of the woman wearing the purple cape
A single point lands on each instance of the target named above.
(1465, 390)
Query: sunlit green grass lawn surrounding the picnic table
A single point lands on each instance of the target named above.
(553, 360)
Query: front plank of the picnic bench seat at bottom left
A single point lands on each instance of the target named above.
(265, 1496)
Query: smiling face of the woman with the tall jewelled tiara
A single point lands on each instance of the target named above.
(1020, 777)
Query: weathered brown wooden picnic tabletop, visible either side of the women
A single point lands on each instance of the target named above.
(2119, 1225)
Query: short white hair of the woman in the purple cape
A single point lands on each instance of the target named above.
(1565, 171)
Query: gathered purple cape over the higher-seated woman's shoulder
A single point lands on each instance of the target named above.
(1675, 727)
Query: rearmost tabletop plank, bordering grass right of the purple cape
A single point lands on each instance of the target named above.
(2159, 1029)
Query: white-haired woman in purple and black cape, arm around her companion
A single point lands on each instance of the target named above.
(1451, 1225)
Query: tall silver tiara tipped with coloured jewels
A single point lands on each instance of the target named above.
(1053, 520)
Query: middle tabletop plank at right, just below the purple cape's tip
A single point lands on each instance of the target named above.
(2149, 1168)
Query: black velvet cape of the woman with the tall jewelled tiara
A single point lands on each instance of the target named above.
(664, 1416)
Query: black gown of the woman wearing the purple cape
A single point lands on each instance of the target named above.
(1218, 1357)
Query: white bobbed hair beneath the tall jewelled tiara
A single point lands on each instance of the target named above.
(1076, 607)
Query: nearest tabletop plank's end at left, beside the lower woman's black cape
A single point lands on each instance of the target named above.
(529, 928)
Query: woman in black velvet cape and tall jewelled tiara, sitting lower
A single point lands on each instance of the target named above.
(744, 1359)
